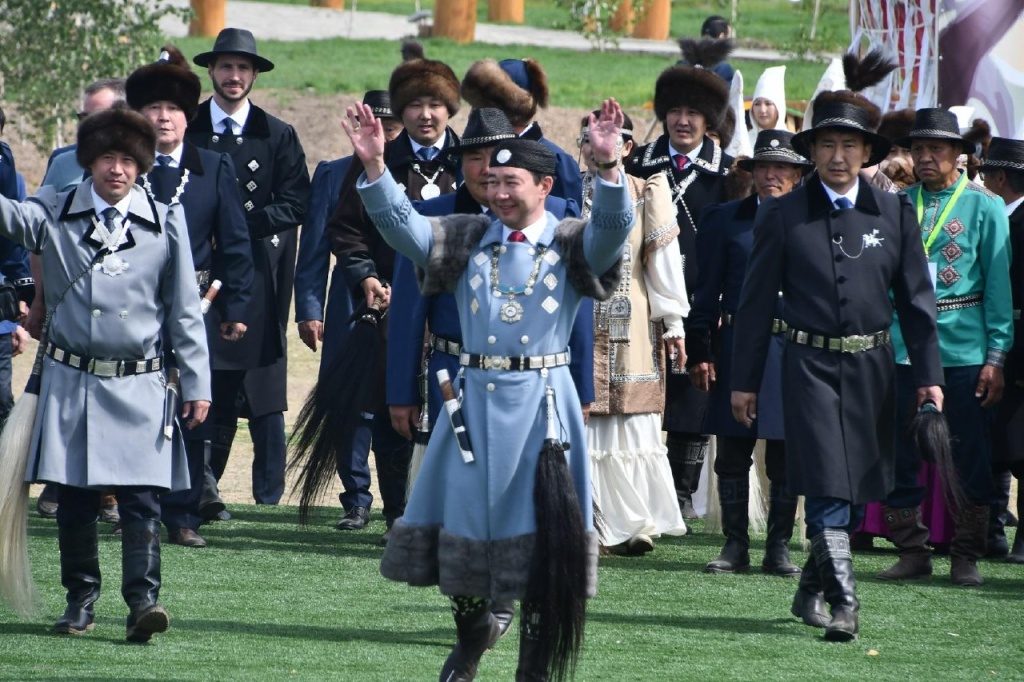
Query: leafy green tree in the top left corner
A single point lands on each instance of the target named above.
(54, 49)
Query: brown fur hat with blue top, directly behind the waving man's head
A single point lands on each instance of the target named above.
(518, 88)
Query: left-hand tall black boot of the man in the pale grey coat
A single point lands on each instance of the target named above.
(80, 577)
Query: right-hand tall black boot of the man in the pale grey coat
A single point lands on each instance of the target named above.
(141, 580)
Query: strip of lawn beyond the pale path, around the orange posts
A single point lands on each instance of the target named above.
(761, 23)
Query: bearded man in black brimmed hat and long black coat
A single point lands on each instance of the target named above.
(275, 184)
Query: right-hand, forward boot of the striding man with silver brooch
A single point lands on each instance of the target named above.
(831, 549)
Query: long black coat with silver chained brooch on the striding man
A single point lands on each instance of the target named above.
(840, 412)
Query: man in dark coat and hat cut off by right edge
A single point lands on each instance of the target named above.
(1004, 170)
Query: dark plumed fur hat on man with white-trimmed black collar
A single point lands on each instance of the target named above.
(694, 84)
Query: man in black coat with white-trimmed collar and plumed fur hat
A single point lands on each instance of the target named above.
(690, 101)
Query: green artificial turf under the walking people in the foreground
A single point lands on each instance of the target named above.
(271, 602)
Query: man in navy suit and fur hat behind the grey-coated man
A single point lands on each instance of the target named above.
(167, 94)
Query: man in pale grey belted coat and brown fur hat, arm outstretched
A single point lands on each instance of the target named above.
(120, 286)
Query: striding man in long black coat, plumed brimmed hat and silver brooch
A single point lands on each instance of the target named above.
(836, 248)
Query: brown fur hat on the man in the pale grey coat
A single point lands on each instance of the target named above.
(117, 130)
